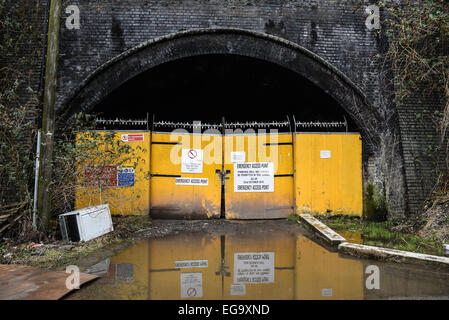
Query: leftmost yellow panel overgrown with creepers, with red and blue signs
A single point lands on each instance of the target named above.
(108, 177)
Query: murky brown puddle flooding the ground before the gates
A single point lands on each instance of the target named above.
(255, 263)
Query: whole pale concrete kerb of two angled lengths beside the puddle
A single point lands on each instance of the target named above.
(371, 252)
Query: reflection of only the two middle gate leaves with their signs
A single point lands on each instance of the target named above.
(195, 266)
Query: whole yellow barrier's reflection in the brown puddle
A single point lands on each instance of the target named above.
(210, 267)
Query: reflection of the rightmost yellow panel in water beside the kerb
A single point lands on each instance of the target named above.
(323, 275)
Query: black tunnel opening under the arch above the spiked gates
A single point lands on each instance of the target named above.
(210, 87)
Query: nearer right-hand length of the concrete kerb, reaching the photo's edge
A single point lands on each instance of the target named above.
(377, 253)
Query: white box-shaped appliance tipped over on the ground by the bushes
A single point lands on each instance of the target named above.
(86, 224)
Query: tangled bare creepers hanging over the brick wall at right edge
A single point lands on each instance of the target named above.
(418, 37)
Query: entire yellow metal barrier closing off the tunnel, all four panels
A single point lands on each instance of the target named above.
(243, 176)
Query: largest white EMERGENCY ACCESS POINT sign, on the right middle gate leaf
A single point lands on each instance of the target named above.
(254, 177)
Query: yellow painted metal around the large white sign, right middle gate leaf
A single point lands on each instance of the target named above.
(275, 148)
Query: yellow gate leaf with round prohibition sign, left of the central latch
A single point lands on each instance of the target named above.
(171, 197)
